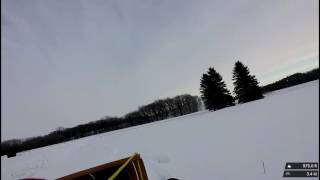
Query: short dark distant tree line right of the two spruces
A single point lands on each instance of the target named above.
(292, 80)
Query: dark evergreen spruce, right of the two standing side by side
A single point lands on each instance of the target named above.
(246, 86)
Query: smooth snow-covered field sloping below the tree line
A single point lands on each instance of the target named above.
(231, 143)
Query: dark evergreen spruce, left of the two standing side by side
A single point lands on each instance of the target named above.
(213, 90)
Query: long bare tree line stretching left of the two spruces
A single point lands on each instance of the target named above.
(155, 111)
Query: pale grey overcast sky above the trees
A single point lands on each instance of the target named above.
(71, 62)
